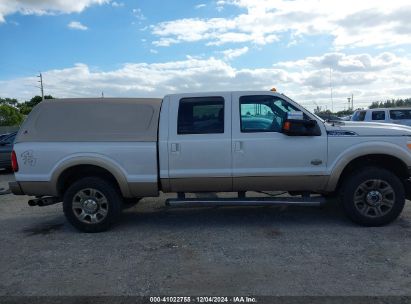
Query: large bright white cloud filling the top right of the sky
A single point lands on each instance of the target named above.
(350, 23)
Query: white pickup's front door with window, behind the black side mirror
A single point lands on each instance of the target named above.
(266, 159)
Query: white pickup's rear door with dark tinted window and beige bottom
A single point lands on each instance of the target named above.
(199, 143)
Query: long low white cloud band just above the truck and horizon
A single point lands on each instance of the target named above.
(369, 77)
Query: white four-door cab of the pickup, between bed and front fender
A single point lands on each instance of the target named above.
(245, 131)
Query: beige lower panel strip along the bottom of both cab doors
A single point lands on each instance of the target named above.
(248, 183)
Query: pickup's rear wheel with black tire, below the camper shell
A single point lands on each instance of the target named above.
(104, 191)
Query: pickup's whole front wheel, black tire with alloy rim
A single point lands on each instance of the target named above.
(372, 196)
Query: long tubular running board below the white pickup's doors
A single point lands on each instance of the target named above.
(236, 202)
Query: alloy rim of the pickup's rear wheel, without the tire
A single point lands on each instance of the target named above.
(90, 206)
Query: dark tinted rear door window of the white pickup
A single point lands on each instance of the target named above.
(201, 115)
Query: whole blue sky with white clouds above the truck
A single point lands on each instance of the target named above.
(318, 53)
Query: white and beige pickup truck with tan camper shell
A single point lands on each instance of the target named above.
(97, 155)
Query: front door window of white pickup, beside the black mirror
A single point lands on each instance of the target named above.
(263, 113)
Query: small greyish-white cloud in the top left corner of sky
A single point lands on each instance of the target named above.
(42, 7)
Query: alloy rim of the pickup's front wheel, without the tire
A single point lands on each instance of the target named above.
(374, 198)
